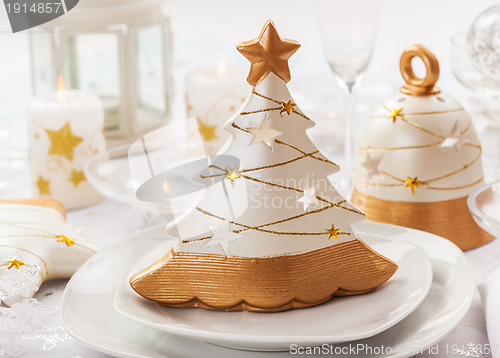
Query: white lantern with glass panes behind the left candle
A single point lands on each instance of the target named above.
(117, 49)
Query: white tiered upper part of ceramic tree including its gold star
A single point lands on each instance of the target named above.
(281, 199)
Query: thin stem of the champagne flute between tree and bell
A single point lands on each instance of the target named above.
(351, 134)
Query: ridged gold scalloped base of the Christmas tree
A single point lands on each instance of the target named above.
(268, 284)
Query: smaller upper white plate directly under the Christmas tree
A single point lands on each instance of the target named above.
(339, 320)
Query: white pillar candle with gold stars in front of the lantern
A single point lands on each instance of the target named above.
(65, 128)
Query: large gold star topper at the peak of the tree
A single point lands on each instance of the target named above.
(268, 53)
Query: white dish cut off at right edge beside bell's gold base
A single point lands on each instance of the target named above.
(484, 205)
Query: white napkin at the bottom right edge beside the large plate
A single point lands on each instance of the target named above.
(490, 295)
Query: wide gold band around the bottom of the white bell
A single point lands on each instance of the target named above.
(449, 218)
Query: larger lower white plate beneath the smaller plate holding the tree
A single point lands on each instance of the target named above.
(89, 316)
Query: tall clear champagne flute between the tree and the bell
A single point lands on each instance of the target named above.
(349, 31)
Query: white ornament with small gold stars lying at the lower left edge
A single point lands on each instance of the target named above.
(36, 245)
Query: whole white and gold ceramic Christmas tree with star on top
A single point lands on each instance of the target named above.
(274, 234)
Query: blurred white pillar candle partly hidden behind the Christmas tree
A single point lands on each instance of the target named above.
(213, 94)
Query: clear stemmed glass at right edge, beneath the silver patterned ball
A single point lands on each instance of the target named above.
(469, 75)
